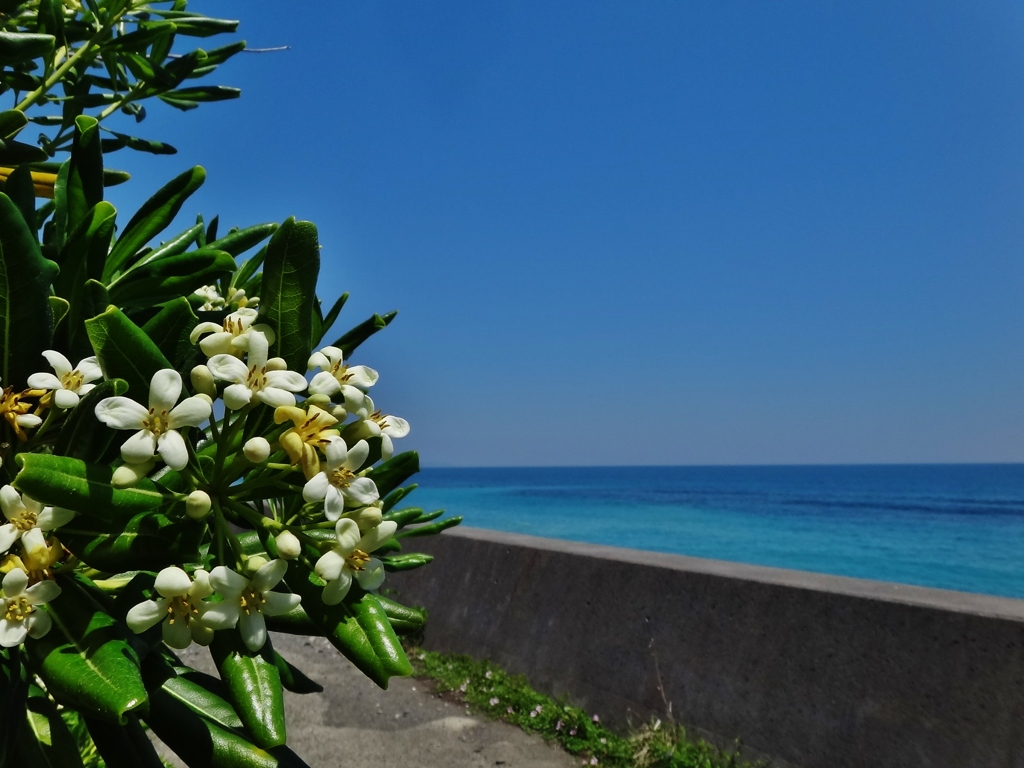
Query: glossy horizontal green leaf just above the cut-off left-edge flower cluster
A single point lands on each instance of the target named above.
(73, 484)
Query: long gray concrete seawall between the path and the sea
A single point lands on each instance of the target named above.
(817, 670)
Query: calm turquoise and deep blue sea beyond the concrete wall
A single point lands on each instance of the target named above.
(955, 527)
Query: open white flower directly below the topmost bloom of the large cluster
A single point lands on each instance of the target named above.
(257, 379)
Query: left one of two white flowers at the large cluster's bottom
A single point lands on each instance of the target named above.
(181, 606)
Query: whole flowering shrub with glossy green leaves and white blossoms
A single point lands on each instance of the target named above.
(210, 470)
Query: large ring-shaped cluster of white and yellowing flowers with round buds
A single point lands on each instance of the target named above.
(327, 441)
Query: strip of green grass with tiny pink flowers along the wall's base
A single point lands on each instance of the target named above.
(492, 692)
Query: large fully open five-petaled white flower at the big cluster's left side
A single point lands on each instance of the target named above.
(158, 425)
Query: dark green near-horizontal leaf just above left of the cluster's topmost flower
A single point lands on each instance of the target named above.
(169, 278)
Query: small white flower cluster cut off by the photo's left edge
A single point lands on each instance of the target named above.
(28, 526)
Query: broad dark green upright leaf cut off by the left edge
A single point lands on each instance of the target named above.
(26, 319)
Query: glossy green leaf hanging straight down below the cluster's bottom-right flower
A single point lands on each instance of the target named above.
(254, 684)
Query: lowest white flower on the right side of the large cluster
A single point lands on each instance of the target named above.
(351, 558)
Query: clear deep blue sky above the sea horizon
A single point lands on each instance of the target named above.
(659, 233)
